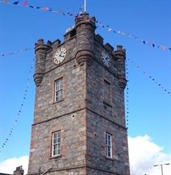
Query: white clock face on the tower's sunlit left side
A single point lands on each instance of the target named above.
(59, 55)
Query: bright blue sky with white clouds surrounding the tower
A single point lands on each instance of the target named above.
(143, 27)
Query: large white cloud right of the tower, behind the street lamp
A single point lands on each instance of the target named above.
(144, 153)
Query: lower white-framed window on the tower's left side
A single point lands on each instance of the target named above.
(56, 143)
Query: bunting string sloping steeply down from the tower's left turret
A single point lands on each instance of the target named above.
(20, 108)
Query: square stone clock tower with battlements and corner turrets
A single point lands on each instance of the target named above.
(79, 117)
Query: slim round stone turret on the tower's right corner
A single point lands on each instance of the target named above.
(120, 56)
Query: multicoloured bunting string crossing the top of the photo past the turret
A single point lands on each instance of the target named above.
(107, 27)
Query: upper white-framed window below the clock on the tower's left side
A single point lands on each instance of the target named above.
(58, 89)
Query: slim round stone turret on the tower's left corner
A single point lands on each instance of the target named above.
(41, 49)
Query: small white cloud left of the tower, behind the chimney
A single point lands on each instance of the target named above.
(9, 165)
